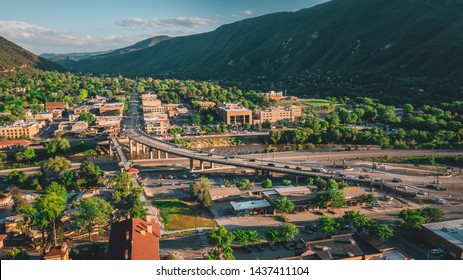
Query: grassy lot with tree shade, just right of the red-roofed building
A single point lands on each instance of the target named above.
(177, 215)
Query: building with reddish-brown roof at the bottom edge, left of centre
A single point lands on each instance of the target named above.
(134, 239)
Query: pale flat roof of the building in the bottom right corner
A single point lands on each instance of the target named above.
(451, 230)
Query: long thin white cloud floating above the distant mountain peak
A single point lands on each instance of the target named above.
(135, 23)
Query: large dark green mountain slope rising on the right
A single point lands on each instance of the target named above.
(398, 37)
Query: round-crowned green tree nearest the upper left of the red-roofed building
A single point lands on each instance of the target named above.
(92, 212)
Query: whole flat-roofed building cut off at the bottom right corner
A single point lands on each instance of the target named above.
(447, 236)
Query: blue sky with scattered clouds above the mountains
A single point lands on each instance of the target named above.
(62, 26)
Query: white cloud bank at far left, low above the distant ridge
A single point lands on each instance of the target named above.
(38, 39)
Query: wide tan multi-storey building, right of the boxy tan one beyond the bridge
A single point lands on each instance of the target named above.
(275, 114)
